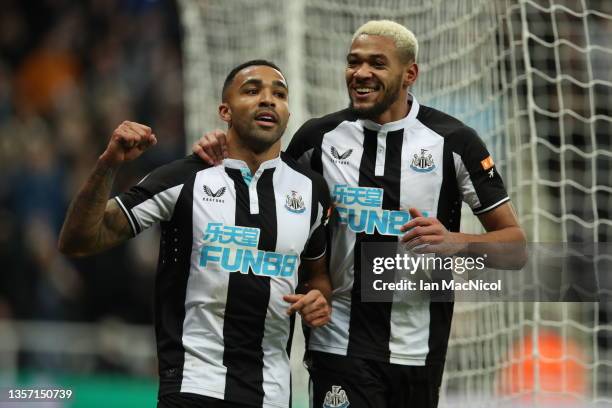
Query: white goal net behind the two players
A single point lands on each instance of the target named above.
(534, 78)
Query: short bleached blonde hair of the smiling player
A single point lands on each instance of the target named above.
(404, 39)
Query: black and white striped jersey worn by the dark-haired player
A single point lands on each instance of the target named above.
(230, 249)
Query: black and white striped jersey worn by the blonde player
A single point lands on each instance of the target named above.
(428, 160)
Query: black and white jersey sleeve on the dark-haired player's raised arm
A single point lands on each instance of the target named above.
(153, 199)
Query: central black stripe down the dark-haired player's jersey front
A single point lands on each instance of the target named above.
(248, 296)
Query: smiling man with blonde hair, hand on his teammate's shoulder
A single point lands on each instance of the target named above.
(388, 153)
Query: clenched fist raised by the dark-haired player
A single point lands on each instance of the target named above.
(128, 142)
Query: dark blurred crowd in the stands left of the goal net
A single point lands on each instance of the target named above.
(70, 72)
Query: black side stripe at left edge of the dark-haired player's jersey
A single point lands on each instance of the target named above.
(170, 290)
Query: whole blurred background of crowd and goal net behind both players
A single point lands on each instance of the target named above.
(533, 77)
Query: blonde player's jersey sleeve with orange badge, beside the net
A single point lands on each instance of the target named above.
(479, 182)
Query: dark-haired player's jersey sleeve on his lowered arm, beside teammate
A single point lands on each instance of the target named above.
(316, 245)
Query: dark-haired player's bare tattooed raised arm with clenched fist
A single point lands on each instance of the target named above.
(93, 222)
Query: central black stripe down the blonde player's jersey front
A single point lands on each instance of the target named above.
(370, 323)
